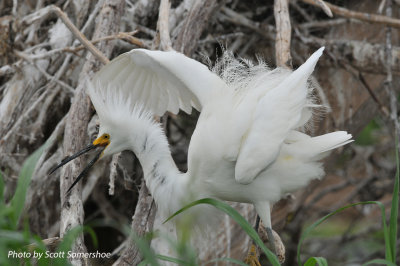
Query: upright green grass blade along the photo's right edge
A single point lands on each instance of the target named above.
(394, 212)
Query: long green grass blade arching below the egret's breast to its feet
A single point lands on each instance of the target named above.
(238, 218)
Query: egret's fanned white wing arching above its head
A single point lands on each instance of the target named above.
(158, 81)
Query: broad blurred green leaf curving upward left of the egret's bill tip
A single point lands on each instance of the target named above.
(24, 179)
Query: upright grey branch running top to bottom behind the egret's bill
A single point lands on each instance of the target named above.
(75, 136)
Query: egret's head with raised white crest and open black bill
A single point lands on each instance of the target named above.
(121, 124)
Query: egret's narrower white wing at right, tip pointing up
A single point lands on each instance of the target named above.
(278, 112)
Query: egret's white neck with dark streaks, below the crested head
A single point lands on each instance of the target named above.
(165, 182)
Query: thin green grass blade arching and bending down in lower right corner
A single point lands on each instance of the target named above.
(308, 230)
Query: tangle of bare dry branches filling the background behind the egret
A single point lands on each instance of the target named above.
(43, 66)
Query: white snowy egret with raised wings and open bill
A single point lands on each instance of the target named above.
(246, 146)
